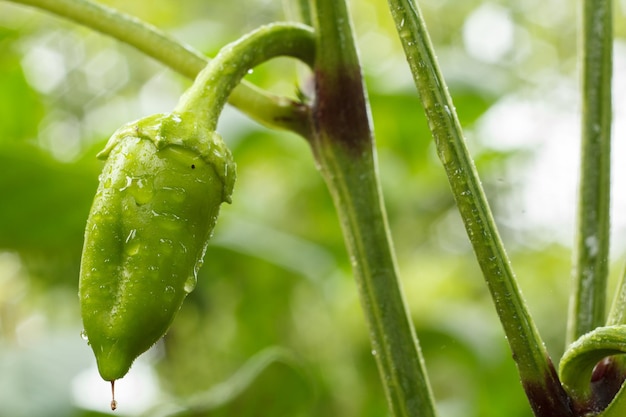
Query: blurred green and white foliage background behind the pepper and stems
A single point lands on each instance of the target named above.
(274, 327)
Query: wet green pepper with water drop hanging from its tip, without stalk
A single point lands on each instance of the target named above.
(154, 211)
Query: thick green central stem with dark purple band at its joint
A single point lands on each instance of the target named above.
(344, 148)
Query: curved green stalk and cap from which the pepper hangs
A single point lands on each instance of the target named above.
(193, 122)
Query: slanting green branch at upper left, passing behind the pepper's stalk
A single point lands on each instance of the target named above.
(267, 109)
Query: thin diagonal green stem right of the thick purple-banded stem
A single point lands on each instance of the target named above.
(536, 370)
